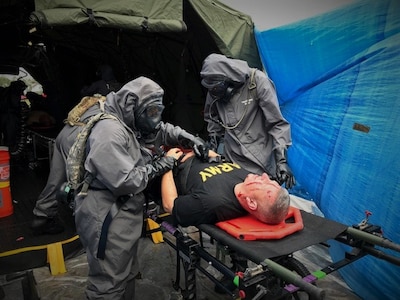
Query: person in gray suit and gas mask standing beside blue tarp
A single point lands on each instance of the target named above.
(242, 114)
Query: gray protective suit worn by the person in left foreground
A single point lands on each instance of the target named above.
(118, 160)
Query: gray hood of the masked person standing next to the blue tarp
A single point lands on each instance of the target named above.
(218, 65)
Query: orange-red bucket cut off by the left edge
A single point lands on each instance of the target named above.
(6, 207)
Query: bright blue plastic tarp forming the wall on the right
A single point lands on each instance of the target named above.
(338, 78)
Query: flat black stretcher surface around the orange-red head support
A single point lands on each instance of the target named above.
(316, 230)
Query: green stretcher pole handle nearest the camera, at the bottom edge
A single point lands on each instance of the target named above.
(295, 279)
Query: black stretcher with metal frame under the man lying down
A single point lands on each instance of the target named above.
(274, 272)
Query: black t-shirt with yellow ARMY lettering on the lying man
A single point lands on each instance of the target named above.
(209, 193)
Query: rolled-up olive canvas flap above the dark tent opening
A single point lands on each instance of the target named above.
(148, 15)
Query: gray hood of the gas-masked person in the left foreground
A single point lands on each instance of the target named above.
(131, 97)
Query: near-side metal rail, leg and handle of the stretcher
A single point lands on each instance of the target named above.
(256, 283)
